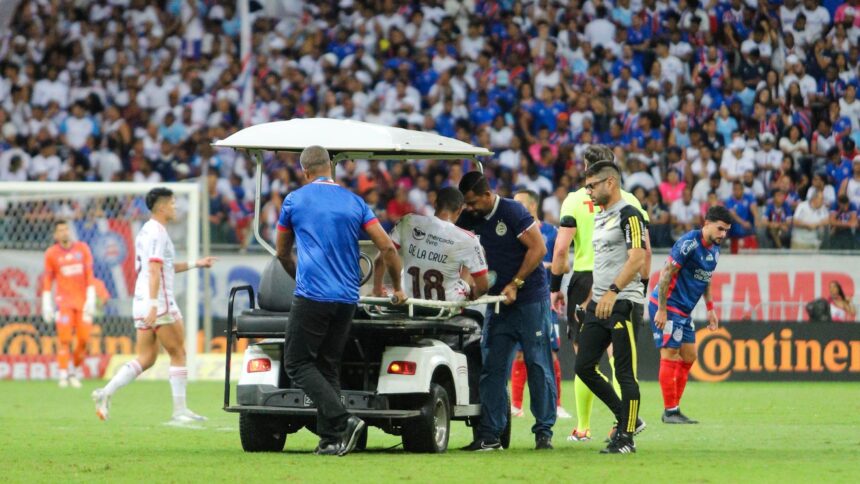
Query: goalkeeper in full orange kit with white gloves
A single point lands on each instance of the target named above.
(73, 305)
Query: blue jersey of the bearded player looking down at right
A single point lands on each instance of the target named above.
(697, 263)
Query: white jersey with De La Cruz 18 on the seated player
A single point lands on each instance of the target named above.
(433, 252)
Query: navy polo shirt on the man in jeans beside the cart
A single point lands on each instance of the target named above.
(505, 253)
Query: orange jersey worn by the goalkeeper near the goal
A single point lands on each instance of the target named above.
(72, 268)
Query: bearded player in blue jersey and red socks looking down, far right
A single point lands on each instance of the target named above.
(685, 278)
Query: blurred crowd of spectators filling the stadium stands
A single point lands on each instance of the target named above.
(747, 103)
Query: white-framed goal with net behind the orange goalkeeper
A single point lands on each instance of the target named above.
(107, 216)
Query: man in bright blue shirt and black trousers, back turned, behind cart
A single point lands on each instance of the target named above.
(324, 220)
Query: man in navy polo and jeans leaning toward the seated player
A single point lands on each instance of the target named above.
(514, 248)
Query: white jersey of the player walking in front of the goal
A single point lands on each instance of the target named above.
(153, 245)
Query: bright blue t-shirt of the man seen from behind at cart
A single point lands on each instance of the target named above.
(326, 220)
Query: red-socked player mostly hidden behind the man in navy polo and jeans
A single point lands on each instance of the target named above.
(549, 232)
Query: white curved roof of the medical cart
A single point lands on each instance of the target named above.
(350, 139)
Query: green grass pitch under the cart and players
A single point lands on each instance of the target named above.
(750, 432)
